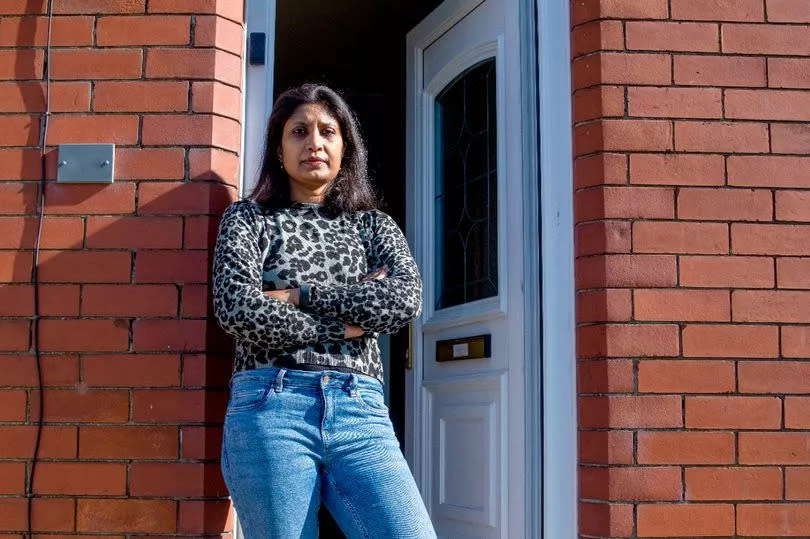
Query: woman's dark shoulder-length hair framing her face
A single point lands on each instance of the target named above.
(351, 190)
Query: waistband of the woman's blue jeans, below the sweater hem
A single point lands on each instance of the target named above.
(280, 377)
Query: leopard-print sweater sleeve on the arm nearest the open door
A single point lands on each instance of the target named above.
(380, 305)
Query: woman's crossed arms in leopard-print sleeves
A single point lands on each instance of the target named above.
(384, 301)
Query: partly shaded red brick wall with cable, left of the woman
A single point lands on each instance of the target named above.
(134, 368)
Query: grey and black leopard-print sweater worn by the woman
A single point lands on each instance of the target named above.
(259, 249)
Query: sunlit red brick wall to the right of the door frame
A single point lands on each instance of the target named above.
(692, 182)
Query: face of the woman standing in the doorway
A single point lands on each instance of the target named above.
(311, 146)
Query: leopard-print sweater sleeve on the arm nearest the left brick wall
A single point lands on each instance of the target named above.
(240, 307)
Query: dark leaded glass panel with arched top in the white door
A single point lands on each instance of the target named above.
(466, 188)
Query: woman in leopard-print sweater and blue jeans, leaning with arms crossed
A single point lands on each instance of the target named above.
(307, 273)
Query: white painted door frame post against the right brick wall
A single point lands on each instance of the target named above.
(557, 325)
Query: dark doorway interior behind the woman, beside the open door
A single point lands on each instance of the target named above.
(358, 48)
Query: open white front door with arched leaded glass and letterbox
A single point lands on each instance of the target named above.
(465, 395)
